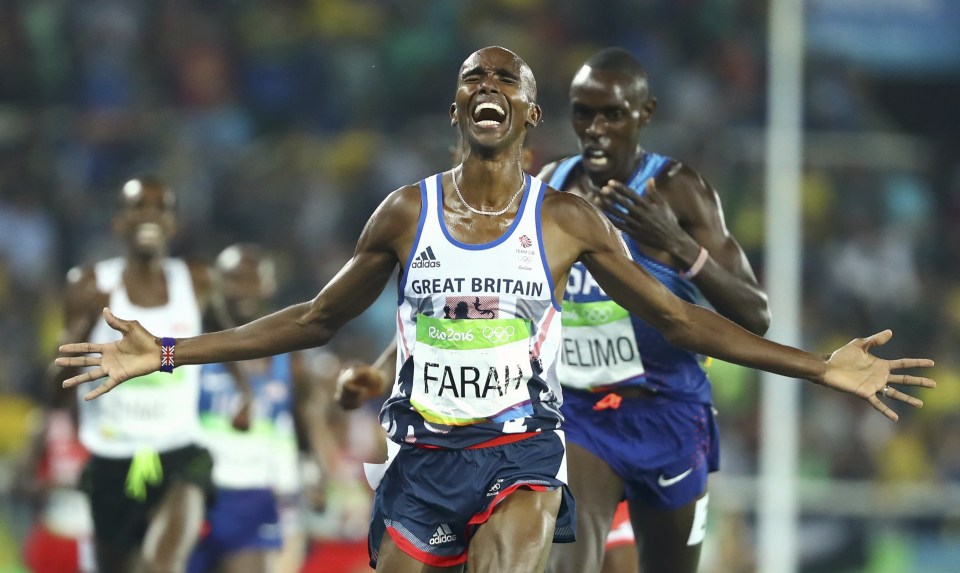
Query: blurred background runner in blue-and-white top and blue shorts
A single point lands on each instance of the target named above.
(244, 532)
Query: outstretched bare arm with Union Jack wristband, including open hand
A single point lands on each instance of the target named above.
(385, 239)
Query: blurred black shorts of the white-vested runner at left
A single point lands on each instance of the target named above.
(121, 521)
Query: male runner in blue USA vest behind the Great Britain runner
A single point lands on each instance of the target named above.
(638, 411)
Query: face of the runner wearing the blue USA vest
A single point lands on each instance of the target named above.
(609, 110)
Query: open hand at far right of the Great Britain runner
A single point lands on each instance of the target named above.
(854, 370)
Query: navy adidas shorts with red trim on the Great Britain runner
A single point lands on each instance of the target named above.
(431, 501)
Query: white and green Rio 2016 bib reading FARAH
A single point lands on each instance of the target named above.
(468, 371)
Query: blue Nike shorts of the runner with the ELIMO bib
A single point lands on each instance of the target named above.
(662, 449)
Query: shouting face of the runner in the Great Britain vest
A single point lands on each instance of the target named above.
(495, 99)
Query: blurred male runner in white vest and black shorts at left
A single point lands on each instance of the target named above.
(147, 479)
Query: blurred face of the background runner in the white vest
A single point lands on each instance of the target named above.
(146, 219)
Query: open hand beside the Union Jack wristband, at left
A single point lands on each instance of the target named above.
(136, 354)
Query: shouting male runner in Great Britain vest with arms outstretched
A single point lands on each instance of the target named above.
(478, 456)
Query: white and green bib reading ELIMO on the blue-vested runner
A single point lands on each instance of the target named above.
(599, 345)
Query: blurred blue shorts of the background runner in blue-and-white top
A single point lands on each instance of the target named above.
(239, 520)
